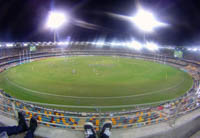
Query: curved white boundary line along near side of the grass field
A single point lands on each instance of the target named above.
(76, 97)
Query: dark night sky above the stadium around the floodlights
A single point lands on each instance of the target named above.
(24, 20)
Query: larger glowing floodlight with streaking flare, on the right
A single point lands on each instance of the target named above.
(145, 21)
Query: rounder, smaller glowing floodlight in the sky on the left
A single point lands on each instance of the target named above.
(56, 19)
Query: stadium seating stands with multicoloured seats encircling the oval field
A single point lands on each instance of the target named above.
(136, 116)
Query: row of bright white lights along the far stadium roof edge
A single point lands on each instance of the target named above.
(133, 45)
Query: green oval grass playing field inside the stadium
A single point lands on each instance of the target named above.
(94, 81)
